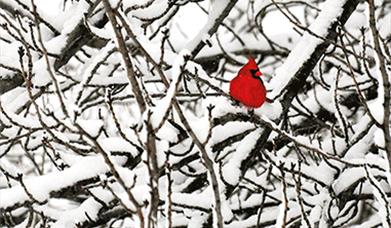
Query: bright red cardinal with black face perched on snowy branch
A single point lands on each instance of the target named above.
(248, 87)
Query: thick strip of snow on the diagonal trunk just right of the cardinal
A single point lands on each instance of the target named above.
(331, 10)
